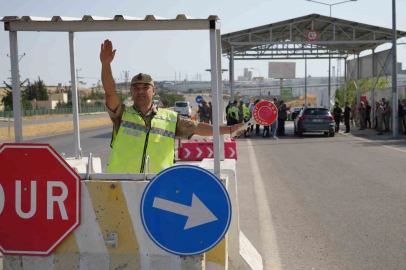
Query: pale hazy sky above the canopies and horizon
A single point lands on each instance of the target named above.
(163, 53)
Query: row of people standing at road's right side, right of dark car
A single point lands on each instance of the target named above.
(361, 116)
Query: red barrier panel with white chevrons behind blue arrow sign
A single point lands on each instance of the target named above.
(195, 151)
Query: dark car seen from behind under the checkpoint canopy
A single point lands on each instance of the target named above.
(314, 119)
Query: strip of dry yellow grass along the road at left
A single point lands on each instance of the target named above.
(44, 129)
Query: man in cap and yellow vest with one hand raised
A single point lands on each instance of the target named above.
(143, 130)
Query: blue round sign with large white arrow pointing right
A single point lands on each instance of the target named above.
(186, 210)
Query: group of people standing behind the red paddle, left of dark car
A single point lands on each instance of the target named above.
(240, 112)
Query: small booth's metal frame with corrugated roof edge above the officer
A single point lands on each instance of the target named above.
(89, 23)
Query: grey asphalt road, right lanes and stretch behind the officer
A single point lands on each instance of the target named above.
(313, 202)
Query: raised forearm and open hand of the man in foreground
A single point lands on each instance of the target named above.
(106, 57)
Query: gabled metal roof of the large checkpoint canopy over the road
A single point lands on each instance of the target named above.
(288, 39)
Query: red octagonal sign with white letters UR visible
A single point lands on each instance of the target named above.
(39, 199)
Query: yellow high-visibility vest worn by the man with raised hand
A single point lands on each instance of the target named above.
(134, 142)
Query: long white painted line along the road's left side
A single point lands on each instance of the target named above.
(266, 228)
